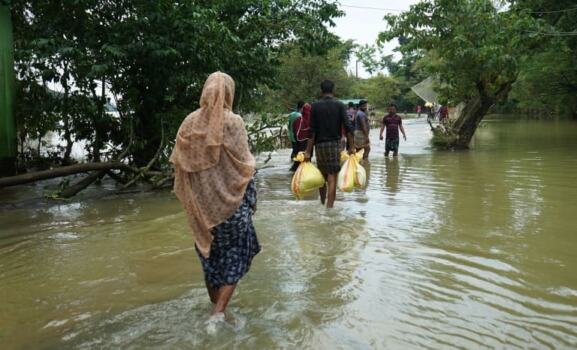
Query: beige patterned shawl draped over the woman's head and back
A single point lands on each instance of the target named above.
(212, 160)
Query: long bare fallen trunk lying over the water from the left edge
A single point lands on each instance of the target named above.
(60, 172)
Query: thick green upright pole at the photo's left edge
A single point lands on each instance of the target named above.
(7, 125)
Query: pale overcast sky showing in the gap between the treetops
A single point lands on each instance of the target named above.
(364, 24)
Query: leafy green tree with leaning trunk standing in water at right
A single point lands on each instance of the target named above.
(472, 46)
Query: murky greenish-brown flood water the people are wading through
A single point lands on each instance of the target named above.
(443, 250)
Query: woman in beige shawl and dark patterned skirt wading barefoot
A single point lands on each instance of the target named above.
(214, 182)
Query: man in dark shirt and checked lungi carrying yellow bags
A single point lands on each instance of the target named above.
(328, 118)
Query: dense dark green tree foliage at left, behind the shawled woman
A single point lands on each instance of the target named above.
(153, 57)
